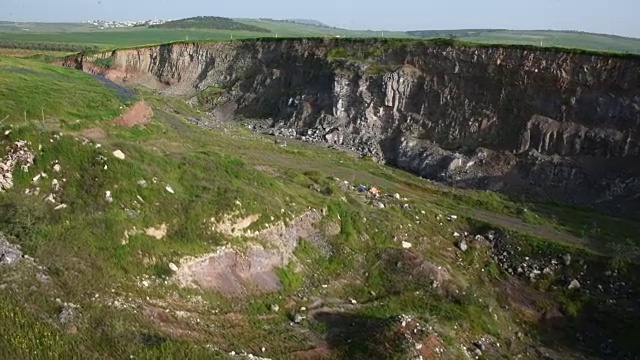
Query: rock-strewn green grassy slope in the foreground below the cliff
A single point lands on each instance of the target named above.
(81, 246)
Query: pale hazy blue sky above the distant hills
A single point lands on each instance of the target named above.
(617, 17)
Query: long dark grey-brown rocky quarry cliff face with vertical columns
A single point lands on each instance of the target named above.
(546, 123)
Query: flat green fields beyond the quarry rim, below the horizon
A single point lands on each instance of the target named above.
(77, 37)
